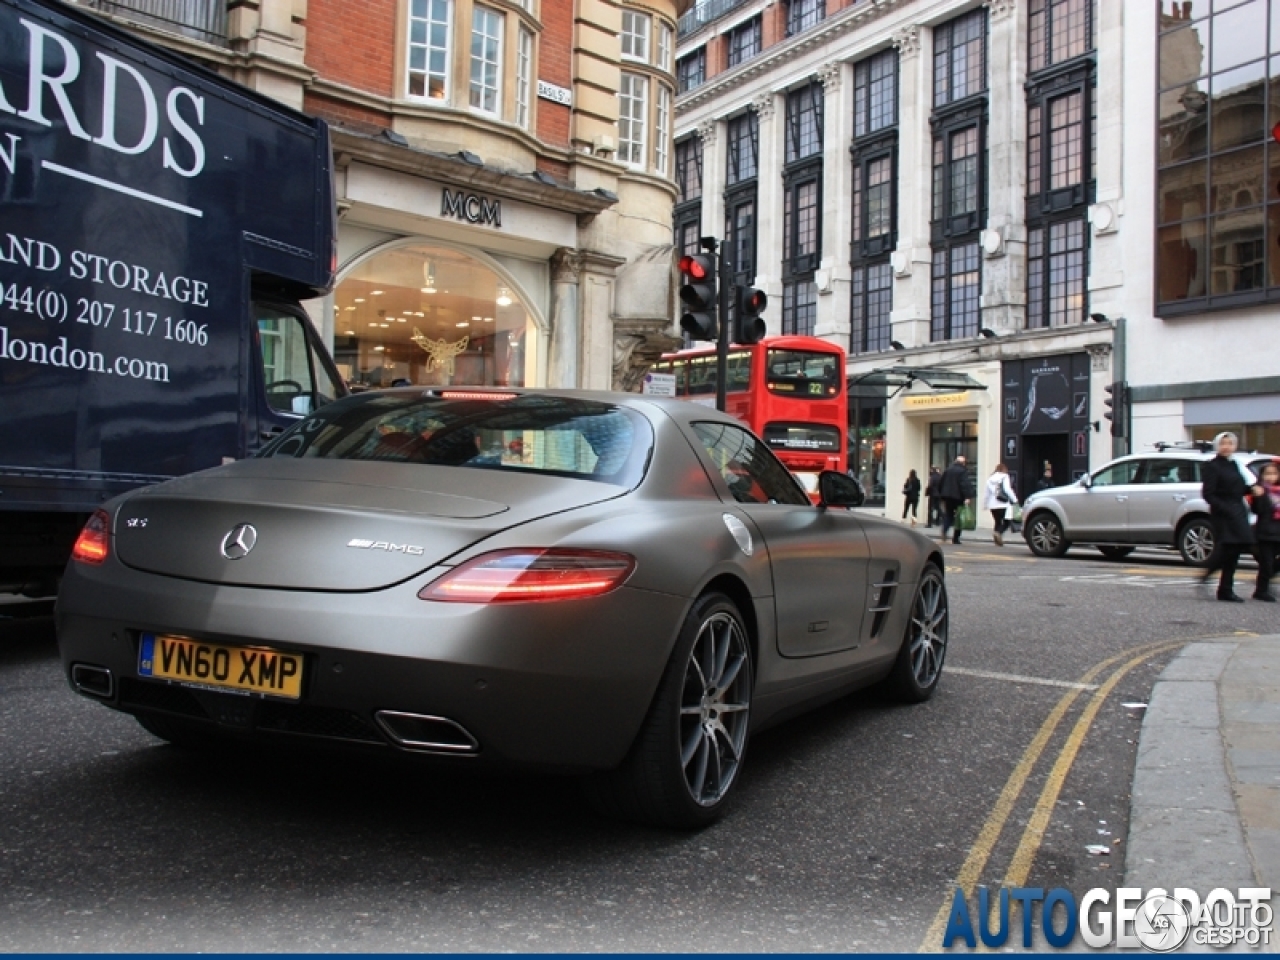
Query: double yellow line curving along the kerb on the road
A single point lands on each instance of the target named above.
(1021, 865)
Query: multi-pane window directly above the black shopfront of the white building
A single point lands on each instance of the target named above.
(1057, 273)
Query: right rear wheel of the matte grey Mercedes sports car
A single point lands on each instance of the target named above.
(688, 758)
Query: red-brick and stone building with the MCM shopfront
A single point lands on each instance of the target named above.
(504, 175)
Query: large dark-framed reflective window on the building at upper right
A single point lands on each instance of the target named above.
(1218, 236)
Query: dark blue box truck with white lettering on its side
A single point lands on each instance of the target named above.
(159, 228)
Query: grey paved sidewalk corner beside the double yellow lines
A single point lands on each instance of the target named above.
(1205, 810)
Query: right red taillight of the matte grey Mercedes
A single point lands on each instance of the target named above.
(532, 577)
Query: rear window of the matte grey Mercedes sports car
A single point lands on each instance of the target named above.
(525, 433)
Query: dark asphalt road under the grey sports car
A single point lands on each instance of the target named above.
(851, 829)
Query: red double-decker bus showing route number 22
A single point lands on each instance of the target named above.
(789, 390)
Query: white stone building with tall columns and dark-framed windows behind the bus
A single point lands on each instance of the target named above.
(935, 186)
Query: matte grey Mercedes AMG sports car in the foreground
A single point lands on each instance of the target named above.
(602, 583)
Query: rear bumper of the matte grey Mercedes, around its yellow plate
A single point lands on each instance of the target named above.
(555, 685)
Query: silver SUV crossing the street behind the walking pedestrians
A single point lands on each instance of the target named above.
(1145, 499)
